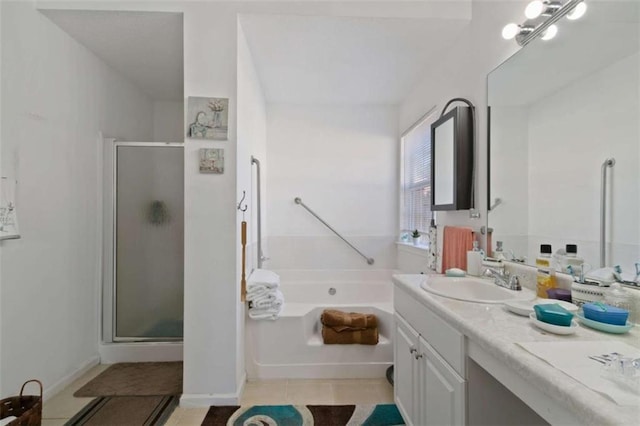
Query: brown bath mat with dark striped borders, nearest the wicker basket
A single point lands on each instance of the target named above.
(126, 410)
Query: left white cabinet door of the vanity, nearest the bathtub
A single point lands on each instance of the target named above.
(405, 382)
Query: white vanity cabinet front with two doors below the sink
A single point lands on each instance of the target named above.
(428, 389)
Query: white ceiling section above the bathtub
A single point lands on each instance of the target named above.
(344, 60)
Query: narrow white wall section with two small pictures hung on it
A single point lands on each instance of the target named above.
(212, 297)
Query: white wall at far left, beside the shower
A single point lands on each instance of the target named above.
(56, 98)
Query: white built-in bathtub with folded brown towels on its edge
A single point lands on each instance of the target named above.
(292, 348)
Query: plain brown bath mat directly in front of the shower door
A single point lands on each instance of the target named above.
(136, 379)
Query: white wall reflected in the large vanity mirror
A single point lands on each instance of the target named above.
(570, 135)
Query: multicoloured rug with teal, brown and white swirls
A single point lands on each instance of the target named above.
(304, 415)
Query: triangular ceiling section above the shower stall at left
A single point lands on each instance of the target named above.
(145, 47)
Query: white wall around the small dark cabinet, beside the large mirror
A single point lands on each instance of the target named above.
(462, 72)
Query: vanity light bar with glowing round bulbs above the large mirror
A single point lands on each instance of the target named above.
(541, 17)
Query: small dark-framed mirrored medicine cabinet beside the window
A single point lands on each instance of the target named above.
(452, 158)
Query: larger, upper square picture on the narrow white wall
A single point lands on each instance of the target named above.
(208, 118)
